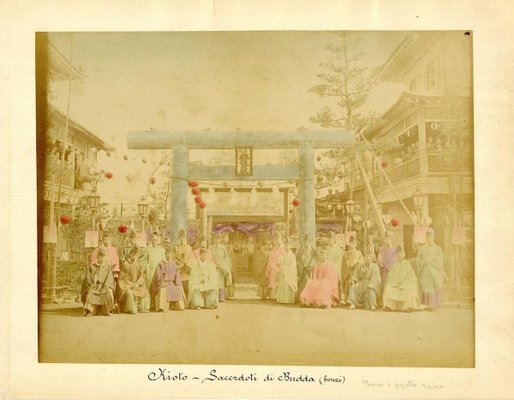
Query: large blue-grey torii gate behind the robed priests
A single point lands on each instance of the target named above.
(182, 142)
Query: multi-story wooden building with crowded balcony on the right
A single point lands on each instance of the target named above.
(425, 141)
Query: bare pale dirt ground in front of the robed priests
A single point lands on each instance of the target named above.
(247, 330)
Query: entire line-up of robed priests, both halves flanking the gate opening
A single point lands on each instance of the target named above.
(158, 278)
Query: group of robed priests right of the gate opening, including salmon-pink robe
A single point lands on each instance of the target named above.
(328, 276)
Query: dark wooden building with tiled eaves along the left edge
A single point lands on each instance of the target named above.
(61, 144)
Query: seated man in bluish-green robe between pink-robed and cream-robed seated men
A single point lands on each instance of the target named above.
(365, 285)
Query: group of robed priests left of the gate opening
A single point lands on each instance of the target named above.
(156, 277)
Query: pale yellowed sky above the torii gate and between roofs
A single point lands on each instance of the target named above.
(202, 80)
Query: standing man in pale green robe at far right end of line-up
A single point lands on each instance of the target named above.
(430, 265)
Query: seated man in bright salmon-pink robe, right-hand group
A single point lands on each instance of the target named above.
(321, 289)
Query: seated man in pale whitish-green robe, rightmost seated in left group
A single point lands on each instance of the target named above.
(203, 283)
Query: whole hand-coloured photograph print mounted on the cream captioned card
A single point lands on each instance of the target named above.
(295, 198)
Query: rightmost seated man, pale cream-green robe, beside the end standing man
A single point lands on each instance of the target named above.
(401, 290)
